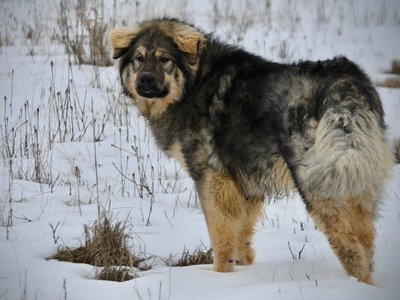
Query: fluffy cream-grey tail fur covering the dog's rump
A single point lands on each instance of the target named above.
(350, 155)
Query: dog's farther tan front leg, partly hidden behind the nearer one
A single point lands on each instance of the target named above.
(245, 252)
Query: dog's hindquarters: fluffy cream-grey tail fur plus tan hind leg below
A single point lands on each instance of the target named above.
(341, 178)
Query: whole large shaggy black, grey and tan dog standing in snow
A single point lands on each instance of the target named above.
(245, 128)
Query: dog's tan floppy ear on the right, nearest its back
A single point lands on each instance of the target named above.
(190, 41)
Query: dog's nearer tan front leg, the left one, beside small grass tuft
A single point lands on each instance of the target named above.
(223, 206)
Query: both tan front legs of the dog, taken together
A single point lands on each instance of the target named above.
(230, 219)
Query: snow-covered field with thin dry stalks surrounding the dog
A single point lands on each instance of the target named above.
(53, 110)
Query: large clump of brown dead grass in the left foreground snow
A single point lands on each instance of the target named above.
(105, 245)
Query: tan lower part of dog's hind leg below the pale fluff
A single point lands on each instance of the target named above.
(349, 227)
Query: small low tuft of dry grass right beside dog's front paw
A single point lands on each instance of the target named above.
(199, 256)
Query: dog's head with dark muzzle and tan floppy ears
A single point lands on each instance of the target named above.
(156, 61)
